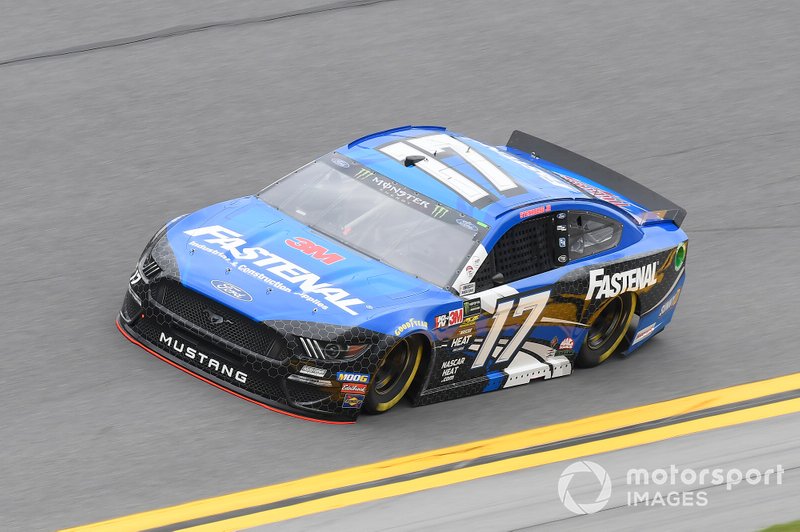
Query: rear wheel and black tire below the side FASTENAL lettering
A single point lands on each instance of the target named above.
(607, 330)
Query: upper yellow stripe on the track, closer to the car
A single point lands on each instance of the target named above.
(449, 455)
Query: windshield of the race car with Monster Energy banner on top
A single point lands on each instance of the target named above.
(363, 209)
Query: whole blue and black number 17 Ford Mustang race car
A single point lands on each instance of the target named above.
(416, 263)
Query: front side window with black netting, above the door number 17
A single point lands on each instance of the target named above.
(526, 249)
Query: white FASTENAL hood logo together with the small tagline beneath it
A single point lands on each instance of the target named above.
(307, 282)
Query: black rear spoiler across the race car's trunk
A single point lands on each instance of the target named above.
(656, 207)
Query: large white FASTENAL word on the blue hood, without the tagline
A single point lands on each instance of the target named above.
(308, 282)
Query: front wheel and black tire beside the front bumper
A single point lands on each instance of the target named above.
(394, 376)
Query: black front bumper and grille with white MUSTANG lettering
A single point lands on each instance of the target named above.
(238, 360)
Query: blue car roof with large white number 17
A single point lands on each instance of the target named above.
(482, 181)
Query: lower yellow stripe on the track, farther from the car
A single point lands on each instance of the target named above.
(503, 466)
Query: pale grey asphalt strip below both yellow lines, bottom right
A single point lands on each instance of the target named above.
(528, 500)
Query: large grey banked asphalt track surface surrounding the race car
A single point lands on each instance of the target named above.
(699, 100)
